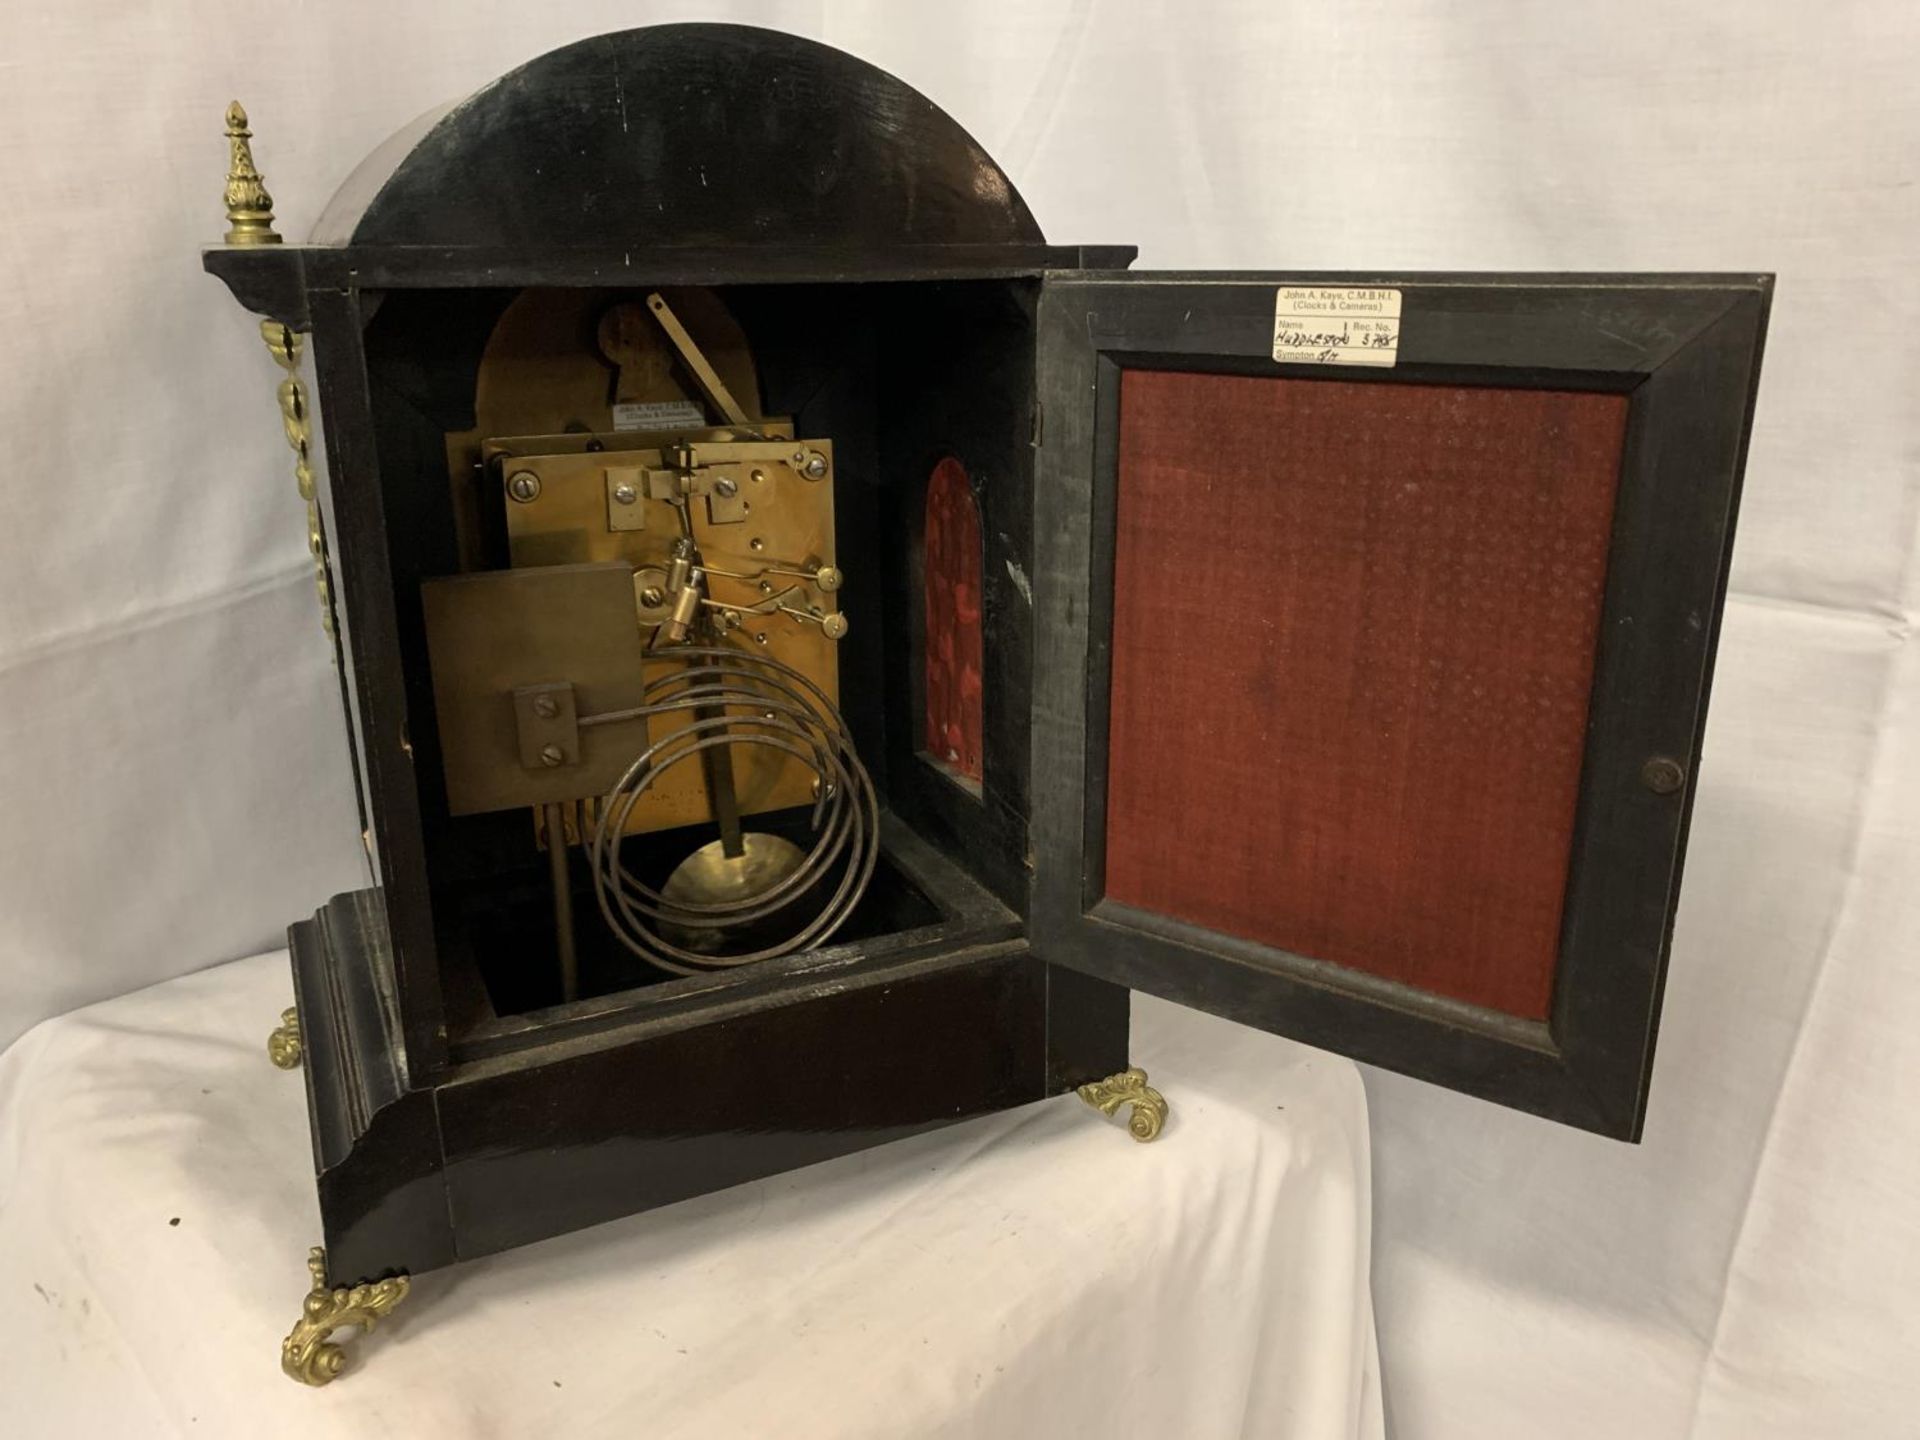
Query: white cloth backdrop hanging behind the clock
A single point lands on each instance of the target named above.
(176, 786)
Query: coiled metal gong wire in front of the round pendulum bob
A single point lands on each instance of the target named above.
(784, 711)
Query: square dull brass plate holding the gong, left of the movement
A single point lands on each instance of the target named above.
(500, 633)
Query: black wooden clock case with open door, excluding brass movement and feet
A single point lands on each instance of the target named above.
(900, 299)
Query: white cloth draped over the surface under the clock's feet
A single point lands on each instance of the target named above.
(1028, 1274)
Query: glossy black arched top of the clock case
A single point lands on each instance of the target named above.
(683, 135)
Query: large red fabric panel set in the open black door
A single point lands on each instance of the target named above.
(1353, 663)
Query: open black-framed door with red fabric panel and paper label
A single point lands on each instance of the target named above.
(1374, 629)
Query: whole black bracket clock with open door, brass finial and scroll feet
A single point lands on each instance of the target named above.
(788, 608)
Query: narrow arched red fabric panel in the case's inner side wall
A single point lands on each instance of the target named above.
(951, 560)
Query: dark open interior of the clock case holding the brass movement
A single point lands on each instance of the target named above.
(921, 396)
